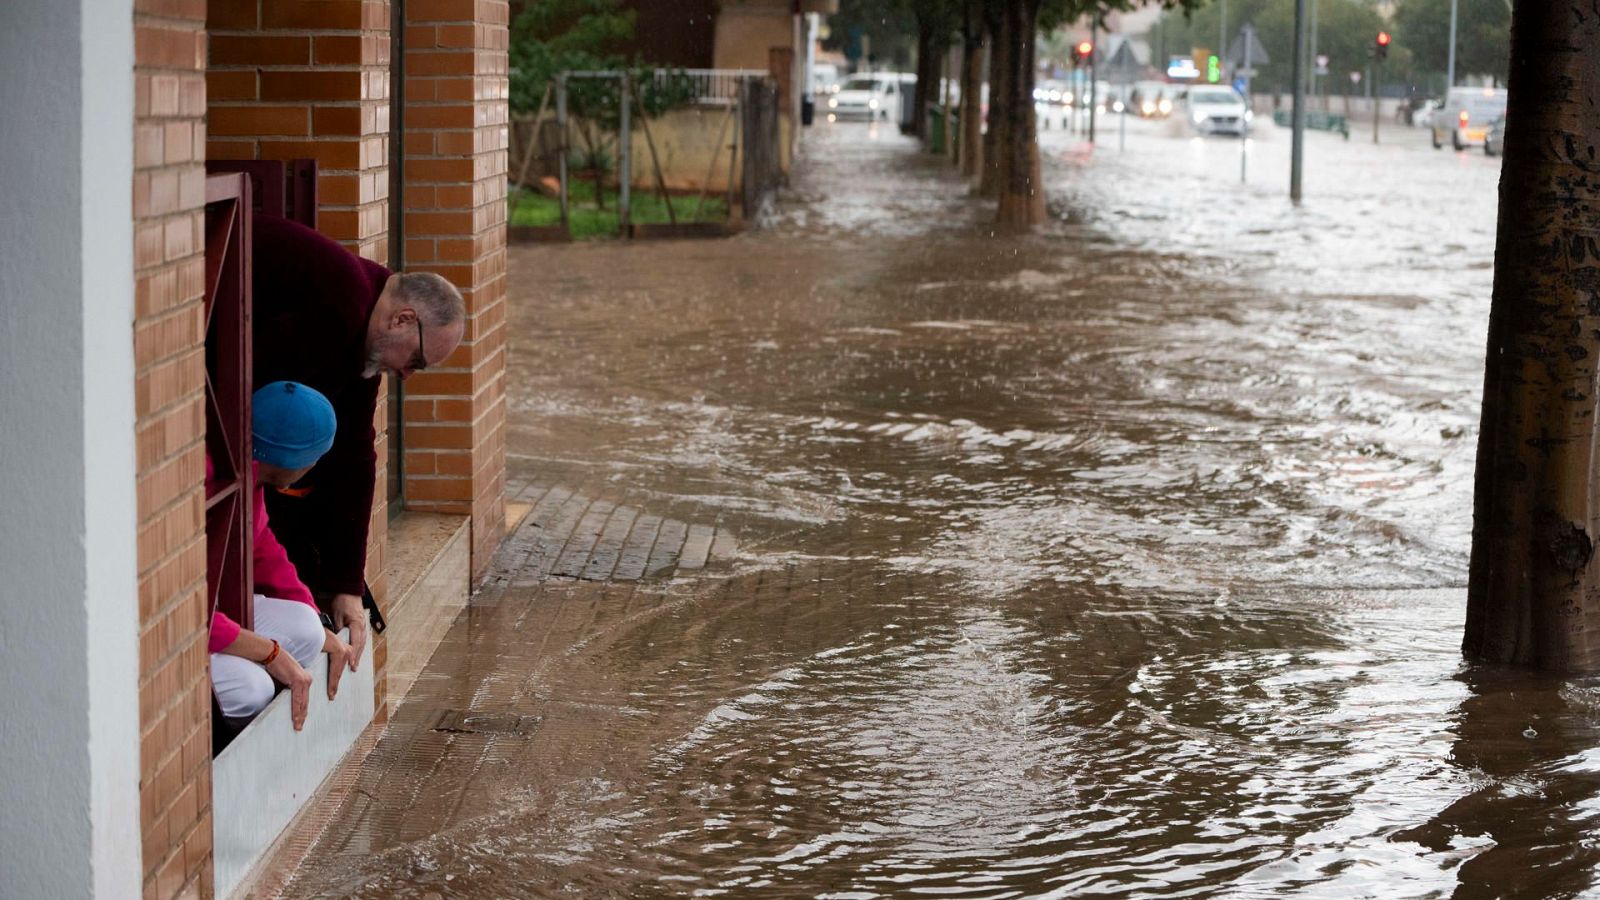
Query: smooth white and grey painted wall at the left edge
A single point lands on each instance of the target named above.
(70, 713)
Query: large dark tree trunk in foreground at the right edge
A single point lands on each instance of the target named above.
(1534, 597)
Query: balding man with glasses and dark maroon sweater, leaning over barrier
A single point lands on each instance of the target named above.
(327, 318)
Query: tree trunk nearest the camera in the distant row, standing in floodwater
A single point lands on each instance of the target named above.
(1022, 193)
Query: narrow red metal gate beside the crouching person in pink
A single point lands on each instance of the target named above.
(228, 388)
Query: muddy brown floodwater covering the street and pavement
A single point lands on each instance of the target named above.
(1121, 560)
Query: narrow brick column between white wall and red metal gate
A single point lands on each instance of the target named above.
(169, 335)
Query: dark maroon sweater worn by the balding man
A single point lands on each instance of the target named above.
(313, 300)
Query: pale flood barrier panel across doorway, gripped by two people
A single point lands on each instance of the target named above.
(263, 781)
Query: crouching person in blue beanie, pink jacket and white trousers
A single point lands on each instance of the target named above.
(292, 427)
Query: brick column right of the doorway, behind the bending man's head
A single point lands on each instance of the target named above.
(455, 225)
